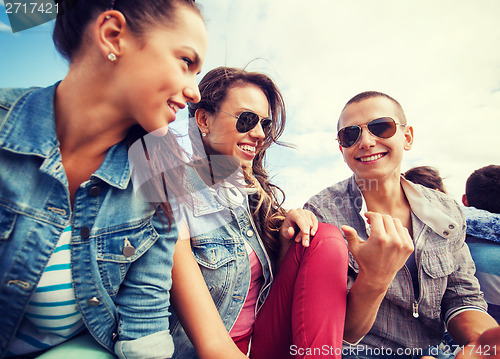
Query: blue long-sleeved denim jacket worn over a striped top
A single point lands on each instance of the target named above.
(122, 295)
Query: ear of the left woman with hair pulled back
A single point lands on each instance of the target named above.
(111, 29)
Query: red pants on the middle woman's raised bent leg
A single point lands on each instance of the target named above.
(303, 316)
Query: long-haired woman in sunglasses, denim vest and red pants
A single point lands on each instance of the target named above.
(239, 276)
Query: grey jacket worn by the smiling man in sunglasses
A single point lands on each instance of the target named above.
(447, 285)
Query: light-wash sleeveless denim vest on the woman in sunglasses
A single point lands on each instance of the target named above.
(218, 232)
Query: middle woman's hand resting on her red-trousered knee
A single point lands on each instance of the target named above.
(299, 223)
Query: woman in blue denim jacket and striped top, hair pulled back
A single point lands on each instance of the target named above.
(79, 250)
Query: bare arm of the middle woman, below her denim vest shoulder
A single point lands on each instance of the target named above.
(194, 305)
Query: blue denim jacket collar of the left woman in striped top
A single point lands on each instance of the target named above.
(30, 130)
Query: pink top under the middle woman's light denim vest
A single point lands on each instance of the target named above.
(246, 318)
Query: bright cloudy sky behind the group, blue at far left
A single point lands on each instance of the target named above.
(440, 59)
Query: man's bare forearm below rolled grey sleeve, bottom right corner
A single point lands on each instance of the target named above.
(467, 326)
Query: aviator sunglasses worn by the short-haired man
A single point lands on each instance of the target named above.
(384, 127)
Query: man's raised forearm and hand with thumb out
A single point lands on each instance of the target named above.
(379, 259)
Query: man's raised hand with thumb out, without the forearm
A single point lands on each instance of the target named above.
(384, 253)
